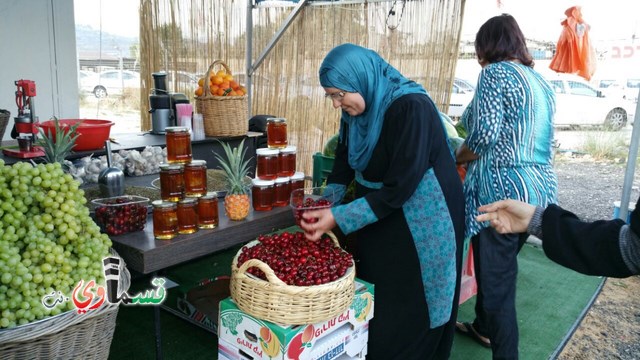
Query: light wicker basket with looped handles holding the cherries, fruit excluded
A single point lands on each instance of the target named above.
(275, 301)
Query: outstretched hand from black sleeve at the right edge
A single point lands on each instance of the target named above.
(507, 216)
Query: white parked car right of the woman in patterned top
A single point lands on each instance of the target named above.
(578, 103)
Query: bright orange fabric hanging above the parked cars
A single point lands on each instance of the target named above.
(574, 53)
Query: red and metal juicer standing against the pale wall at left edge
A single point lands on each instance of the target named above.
(25, 127)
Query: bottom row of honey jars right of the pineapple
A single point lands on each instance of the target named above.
(266, 194)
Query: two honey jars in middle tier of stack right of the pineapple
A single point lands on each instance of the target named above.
(273, 163)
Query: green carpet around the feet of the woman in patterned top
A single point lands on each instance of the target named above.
(549, 300)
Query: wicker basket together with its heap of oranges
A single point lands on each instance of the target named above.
(222, 102)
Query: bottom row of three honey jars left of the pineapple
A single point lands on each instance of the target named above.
(184, 217)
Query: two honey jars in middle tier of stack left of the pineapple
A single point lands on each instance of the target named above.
(180, 180)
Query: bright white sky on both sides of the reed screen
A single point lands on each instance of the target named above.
(540, 19)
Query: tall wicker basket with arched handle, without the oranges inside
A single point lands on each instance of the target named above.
(222, 115)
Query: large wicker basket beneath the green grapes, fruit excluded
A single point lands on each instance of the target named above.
(65, 336)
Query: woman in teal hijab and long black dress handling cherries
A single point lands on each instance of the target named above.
(408, 212)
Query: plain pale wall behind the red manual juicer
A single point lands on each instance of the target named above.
(39, 43)
